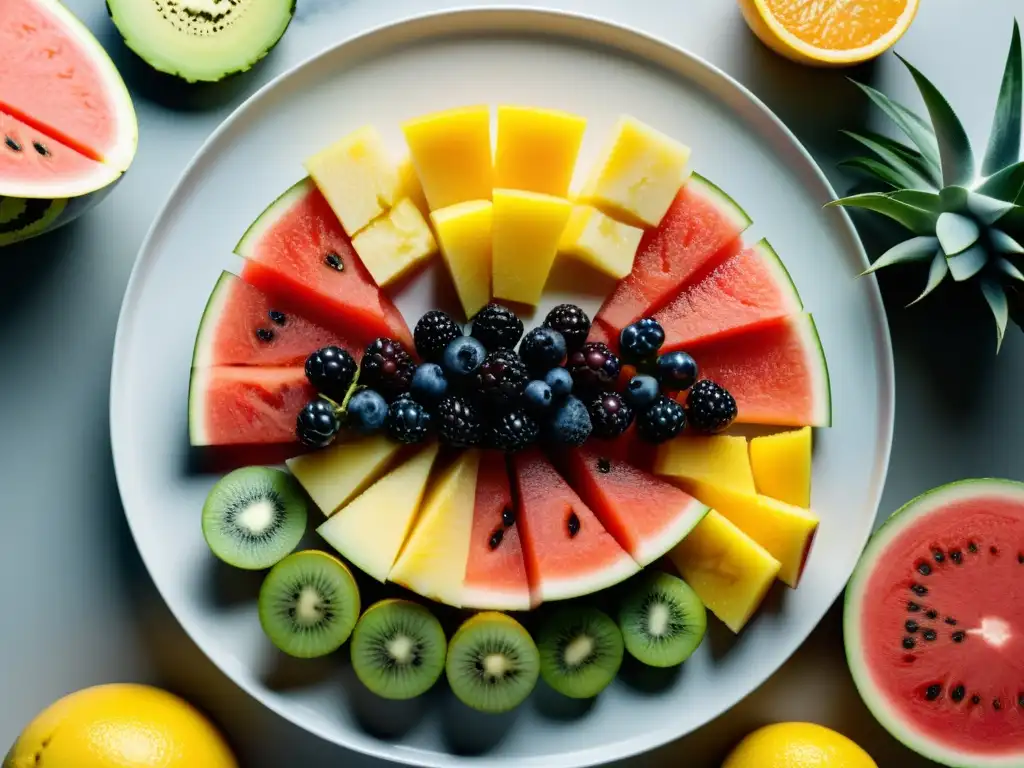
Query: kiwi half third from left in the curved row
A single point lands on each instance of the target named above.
(399, 650)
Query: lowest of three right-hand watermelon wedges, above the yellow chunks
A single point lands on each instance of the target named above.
(777, 372)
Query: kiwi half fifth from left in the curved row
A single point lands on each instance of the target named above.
(581, 652)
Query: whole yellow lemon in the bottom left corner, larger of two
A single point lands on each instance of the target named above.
(120, 727)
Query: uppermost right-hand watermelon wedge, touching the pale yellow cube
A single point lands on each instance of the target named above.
(702, 229)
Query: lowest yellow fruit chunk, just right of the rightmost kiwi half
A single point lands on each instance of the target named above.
(730, 571)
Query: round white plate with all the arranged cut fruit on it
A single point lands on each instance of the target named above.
(508, 402)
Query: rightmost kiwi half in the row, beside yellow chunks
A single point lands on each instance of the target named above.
(663, 621)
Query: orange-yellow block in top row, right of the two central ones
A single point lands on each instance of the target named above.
(537, 149)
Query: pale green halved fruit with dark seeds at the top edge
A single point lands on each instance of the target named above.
(202, 40)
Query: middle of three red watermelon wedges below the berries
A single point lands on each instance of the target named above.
(569, 553)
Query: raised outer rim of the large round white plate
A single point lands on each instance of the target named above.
(626, 38)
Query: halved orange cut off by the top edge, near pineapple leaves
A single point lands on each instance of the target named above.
(830, 33)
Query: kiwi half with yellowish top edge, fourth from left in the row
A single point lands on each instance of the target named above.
(493, 663)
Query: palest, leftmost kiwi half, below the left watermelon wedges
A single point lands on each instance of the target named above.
(254, 517)
